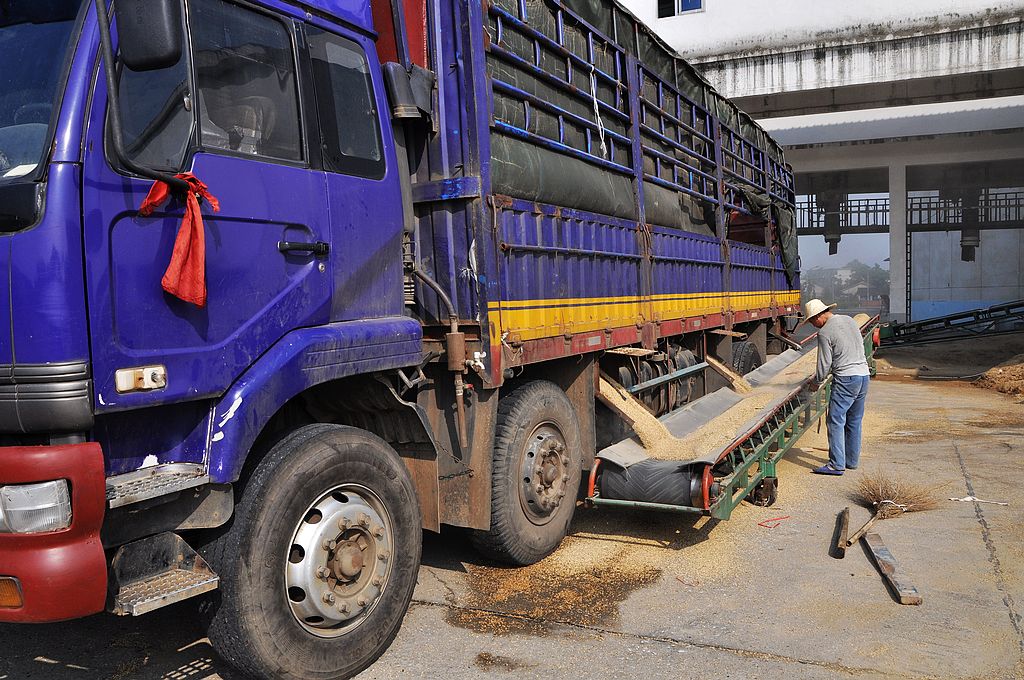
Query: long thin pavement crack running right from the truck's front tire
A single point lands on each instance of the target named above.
(739, 652)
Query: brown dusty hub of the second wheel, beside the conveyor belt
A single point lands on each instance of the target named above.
(544, 475)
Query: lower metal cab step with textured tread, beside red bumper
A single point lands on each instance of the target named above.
(156, 572)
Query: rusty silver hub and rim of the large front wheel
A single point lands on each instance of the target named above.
(339, 561)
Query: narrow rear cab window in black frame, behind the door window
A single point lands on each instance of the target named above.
(350, 125)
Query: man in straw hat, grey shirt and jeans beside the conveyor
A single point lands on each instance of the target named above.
(841, 353)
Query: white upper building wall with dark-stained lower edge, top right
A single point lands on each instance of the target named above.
(728, 27)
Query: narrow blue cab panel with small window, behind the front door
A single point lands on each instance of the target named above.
(362, 177)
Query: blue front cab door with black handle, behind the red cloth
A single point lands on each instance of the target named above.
(231, 114)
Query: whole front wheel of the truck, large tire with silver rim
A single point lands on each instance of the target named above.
(319, 565)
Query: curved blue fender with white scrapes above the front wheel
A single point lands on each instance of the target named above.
(302, 360)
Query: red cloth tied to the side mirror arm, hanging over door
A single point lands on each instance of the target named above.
(186, 275)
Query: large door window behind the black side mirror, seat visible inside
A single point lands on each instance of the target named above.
(245, 76)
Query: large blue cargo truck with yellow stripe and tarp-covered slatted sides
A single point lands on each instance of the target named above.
(386, 251)
